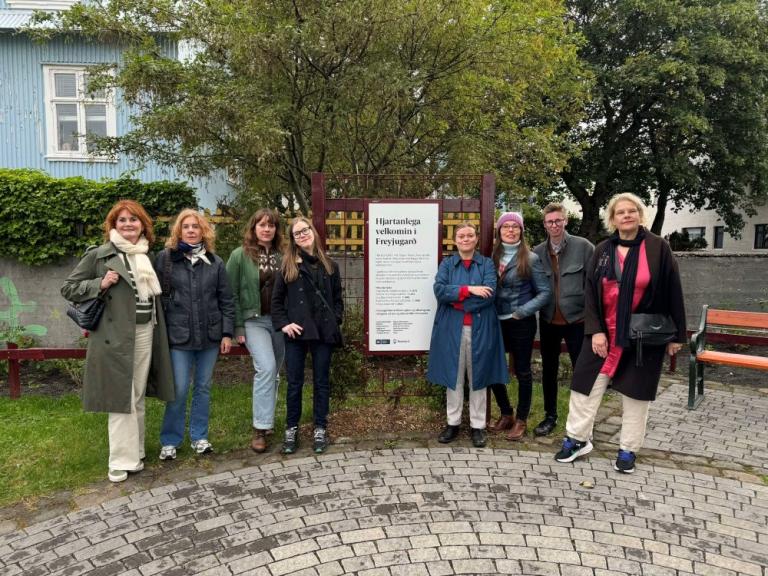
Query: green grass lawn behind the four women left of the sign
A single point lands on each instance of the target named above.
(50, 444)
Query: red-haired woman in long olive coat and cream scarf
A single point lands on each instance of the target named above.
(128, 356)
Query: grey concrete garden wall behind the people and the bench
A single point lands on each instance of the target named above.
(29, 296)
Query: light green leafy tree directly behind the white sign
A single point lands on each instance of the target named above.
(272, 91)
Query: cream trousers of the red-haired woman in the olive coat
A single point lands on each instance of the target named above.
(126, 431)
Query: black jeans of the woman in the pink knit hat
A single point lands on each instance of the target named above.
(518, 341)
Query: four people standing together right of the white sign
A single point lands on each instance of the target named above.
(584, 296)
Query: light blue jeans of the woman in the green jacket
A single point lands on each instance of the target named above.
(267, 349)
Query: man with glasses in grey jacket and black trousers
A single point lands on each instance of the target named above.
(565, 258)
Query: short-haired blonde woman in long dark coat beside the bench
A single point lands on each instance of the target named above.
(632, 272)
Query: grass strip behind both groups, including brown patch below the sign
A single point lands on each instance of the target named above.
(50, 444)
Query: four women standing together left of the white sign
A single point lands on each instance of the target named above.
(168, 316)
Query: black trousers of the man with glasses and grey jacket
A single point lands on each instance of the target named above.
(550, 336)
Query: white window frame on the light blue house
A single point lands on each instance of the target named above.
(80, 100)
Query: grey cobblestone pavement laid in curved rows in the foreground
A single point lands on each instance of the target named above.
(441, 511)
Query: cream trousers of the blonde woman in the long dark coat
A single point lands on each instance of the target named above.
(582, 410)
